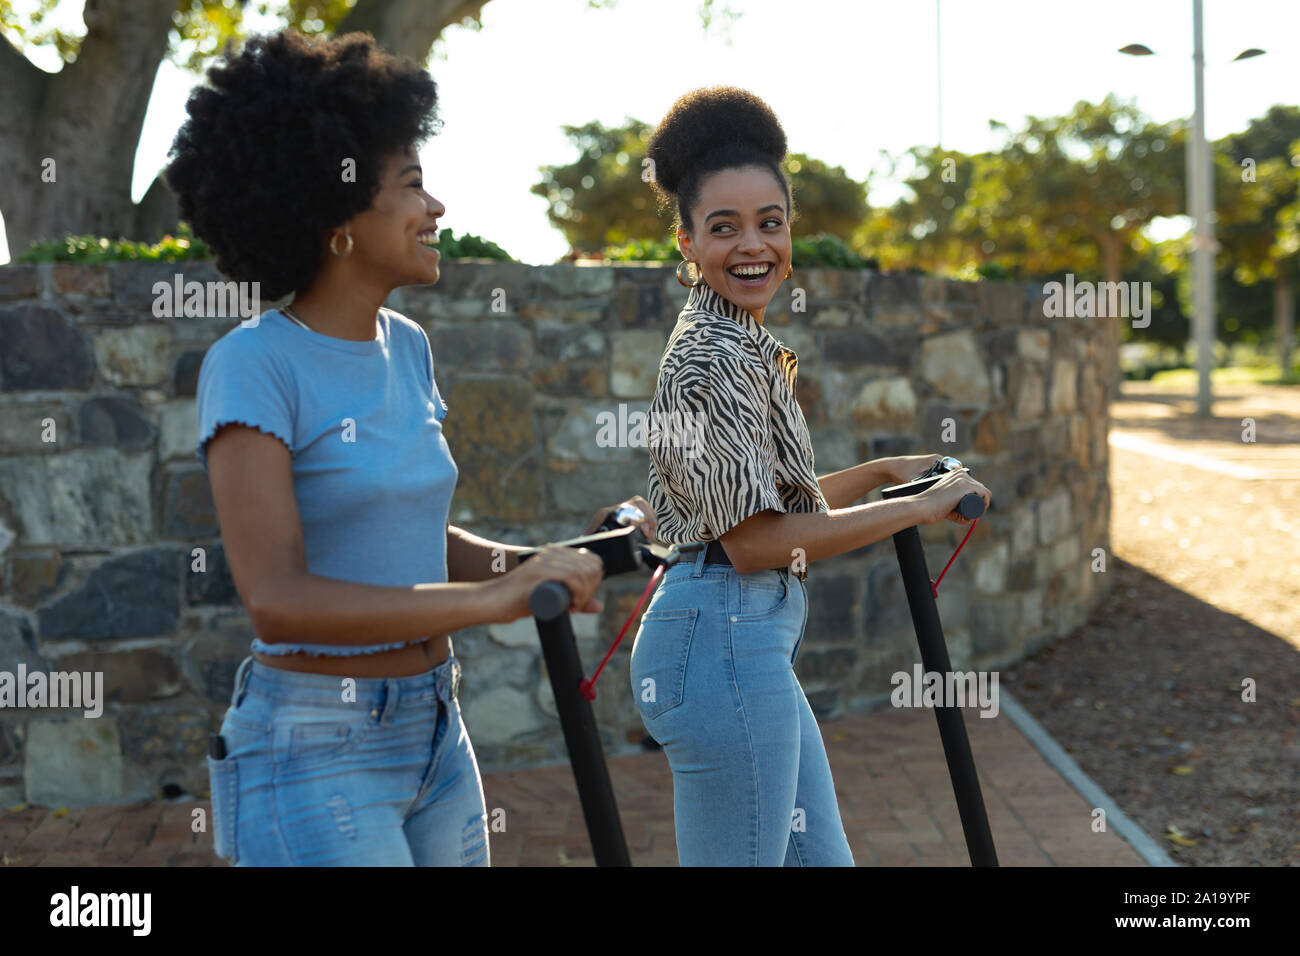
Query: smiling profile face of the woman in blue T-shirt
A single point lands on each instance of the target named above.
(387, 237)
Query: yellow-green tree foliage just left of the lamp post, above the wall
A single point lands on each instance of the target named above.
(1063, 194)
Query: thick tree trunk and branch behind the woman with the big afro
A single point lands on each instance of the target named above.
(80, 128)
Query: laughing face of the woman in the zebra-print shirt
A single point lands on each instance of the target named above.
(740, 226)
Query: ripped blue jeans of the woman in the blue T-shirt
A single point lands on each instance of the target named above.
(322, 773)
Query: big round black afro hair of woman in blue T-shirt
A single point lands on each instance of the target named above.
(258, 168)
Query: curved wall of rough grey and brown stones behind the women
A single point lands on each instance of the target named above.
(106, 513)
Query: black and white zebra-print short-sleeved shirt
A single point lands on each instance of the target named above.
(727, 436)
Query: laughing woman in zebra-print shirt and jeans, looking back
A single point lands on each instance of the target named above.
(713, 665)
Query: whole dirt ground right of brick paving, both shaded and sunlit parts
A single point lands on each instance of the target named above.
(1149, 698)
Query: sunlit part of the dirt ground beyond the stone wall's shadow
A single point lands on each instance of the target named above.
(1216, 517)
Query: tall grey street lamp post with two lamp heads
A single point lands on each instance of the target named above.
(1201, 205)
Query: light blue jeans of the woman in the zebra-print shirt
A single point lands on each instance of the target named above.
(713, 674)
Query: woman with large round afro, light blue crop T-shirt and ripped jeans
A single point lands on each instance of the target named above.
(320, 430)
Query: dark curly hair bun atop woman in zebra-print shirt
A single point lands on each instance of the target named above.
(705, 120)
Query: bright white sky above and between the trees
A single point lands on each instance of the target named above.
(848, 79)
